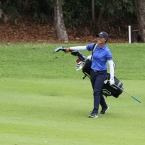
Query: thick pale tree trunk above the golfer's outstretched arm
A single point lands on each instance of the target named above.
(59, 26)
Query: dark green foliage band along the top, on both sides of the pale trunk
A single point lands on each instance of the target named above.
(76, 12)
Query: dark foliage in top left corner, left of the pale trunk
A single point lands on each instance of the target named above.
(39, 10)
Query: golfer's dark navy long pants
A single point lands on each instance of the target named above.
(97, 80)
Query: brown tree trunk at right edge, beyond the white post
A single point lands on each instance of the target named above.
(140, 9)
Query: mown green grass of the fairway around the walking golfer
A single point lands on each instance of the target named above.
(45, 101)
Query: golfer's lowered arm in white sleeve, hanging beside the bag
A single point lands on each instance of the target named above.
(111, 64)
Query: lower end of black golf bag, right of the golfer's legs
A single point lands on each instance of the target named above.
(114, 90)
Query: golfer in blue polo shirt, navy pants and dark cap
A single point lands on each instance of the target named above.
(101, 55)
